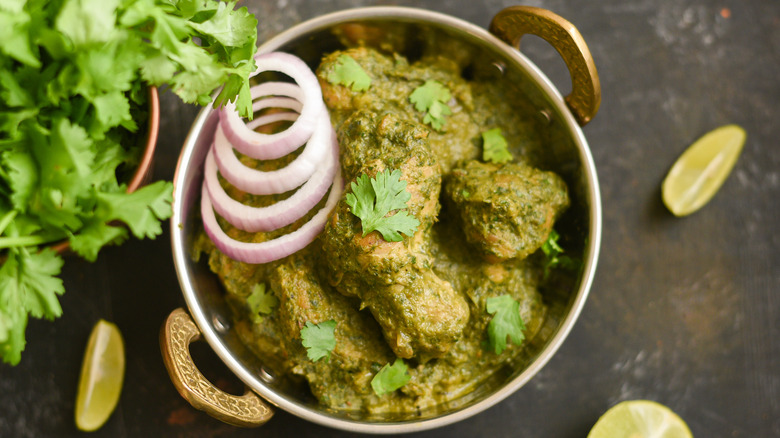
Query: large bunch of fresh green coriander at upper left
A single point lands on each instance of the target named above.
(74, 76)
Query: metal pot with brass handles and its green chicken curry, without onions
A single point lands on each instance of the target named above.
(497, 239)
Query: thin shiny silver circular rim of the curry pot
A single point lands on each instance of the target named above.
(319, 416)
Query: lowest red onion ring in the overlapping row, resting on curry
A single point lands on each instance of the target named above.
(275, 249)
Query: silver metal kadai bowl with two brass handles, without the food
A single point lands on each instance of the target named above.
(483, 53)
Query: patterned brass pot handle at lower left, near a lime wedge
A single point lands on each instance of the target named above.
(248, 410)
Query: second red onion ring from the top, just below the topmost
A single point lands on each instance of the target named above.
(276, 181)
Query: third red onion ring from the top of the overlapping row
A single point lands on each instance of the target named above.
(279, 214)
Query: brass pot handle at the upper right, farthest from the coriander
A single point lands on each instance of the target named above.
(512, 23)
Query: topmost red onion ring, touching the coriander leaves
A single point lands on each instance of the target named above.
(272, 146)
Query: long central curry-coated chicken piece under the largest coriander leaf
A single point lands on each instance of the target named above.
(421, 315)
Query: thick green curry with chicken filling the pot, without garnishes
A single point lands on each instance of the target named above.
(424, 299)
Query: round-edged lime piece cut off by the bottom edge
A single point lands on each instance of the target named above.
(640, 419)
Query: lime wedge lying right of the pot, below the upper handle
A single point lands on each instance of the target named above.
(701, 169)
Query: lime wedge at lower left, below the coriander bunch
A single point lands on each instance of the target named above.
(102, 373)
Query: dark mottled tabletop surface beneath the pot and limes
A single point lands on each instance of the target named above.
(682, 311)
